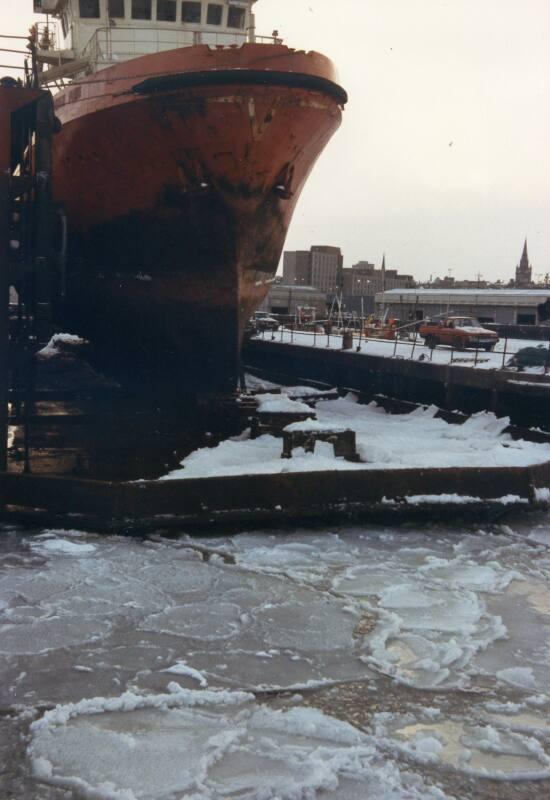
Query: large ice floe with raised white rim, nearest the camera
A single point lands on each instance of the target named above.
(150, 747)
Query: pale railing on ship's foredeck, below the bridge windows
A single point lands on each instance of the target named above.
(110, 45)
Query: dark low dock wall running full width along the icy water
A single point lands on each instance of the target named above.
(205, 501)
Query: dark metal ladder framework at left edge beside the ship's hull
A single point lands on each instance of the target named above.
(27, 264)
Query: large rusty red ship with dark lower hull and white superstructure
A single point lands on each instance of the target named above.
(185, 142)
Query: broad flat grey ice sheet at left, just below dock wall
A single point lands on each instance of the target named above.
(139, 609)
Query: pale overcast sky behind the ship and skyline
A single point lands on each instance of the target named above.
(443, 158)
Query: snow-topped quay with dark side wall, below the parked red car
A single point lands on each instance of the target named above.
(467, 380)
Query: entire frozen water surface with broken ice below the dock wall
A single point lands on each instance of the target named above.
(100, 630)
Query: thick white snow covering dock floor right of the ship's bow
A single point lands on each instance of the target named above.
(417, 440)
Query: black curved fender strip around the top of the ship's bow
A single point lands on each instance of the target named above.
(232, 77)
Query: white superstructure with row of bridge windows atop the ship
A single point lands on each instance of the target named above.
(88, 35)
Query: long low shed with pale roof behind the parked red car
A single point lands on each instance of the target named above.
(502, 306)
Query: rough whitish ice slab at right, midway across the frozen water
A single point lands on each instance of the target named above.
(432, 620)
